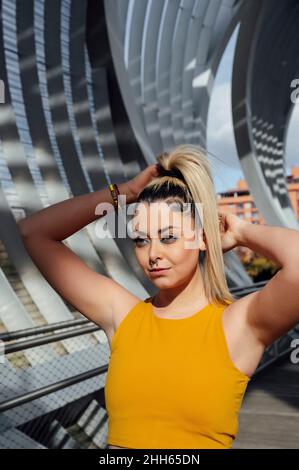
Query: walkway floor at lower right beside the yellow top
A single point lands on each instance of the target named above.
(269, 416)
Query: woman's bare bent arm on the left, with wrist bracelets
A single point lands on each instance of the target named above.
(43, 232)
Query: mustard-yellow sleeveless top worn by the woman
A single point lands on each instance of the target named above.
(171, 383)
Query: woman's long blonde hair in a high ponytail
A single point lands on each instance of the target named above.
(185, 175)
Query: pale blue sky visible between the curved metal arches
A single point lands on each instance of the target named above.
(225, 165)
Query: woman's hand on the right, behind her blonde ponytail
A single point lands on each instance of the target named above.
(231, 228)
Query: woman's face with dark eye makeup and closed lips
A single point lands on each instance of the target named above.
(157, 245)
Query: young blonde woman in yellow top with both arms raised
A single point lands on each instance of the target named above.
(181, 360)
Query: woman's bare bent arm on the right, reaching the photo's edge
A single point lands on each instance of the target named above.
(274, 310)
